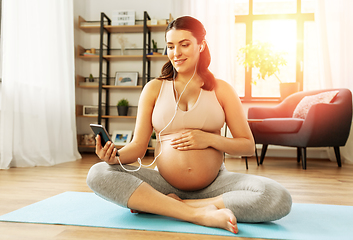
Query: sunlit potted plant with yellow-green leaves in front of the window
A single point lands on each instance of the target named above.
(268, 61)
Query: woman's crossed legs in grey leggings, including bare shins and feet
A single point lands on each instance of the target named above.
(230, 198)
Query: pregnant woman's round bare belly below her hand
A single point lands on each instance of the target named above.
(188, 170)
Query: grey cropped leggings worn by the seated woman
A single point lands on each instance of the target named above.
(251, 198)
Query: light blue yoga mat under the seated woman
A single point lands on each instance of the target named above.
(306, 221)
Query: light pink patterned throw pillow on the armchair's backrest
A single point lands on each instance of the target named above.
(304, 105)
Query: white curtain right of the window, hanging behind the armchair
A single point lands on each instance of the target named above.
(335, 29)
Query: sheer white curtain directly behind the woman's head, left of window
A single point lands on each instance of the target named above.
(218, 18)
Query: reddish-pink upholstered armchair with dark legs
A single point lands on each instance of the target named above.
(325, 125)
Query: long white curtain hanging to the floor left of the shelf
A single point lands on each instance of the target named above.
(38, 99)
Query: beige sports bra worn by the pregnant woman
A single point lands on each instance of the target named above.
(206, 114)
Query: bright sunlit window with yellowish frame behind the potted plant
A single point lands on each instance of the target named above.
(289, 26)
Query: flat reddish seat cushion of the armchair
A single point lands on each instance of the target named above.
(280, 125)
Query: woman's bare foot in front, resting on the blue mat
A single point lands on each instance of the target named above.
(211, 216)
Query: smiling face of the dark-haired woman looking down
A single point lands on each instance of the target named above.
(183, 50)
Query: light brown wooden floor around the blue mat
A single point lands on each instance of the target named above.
(323, 183)
